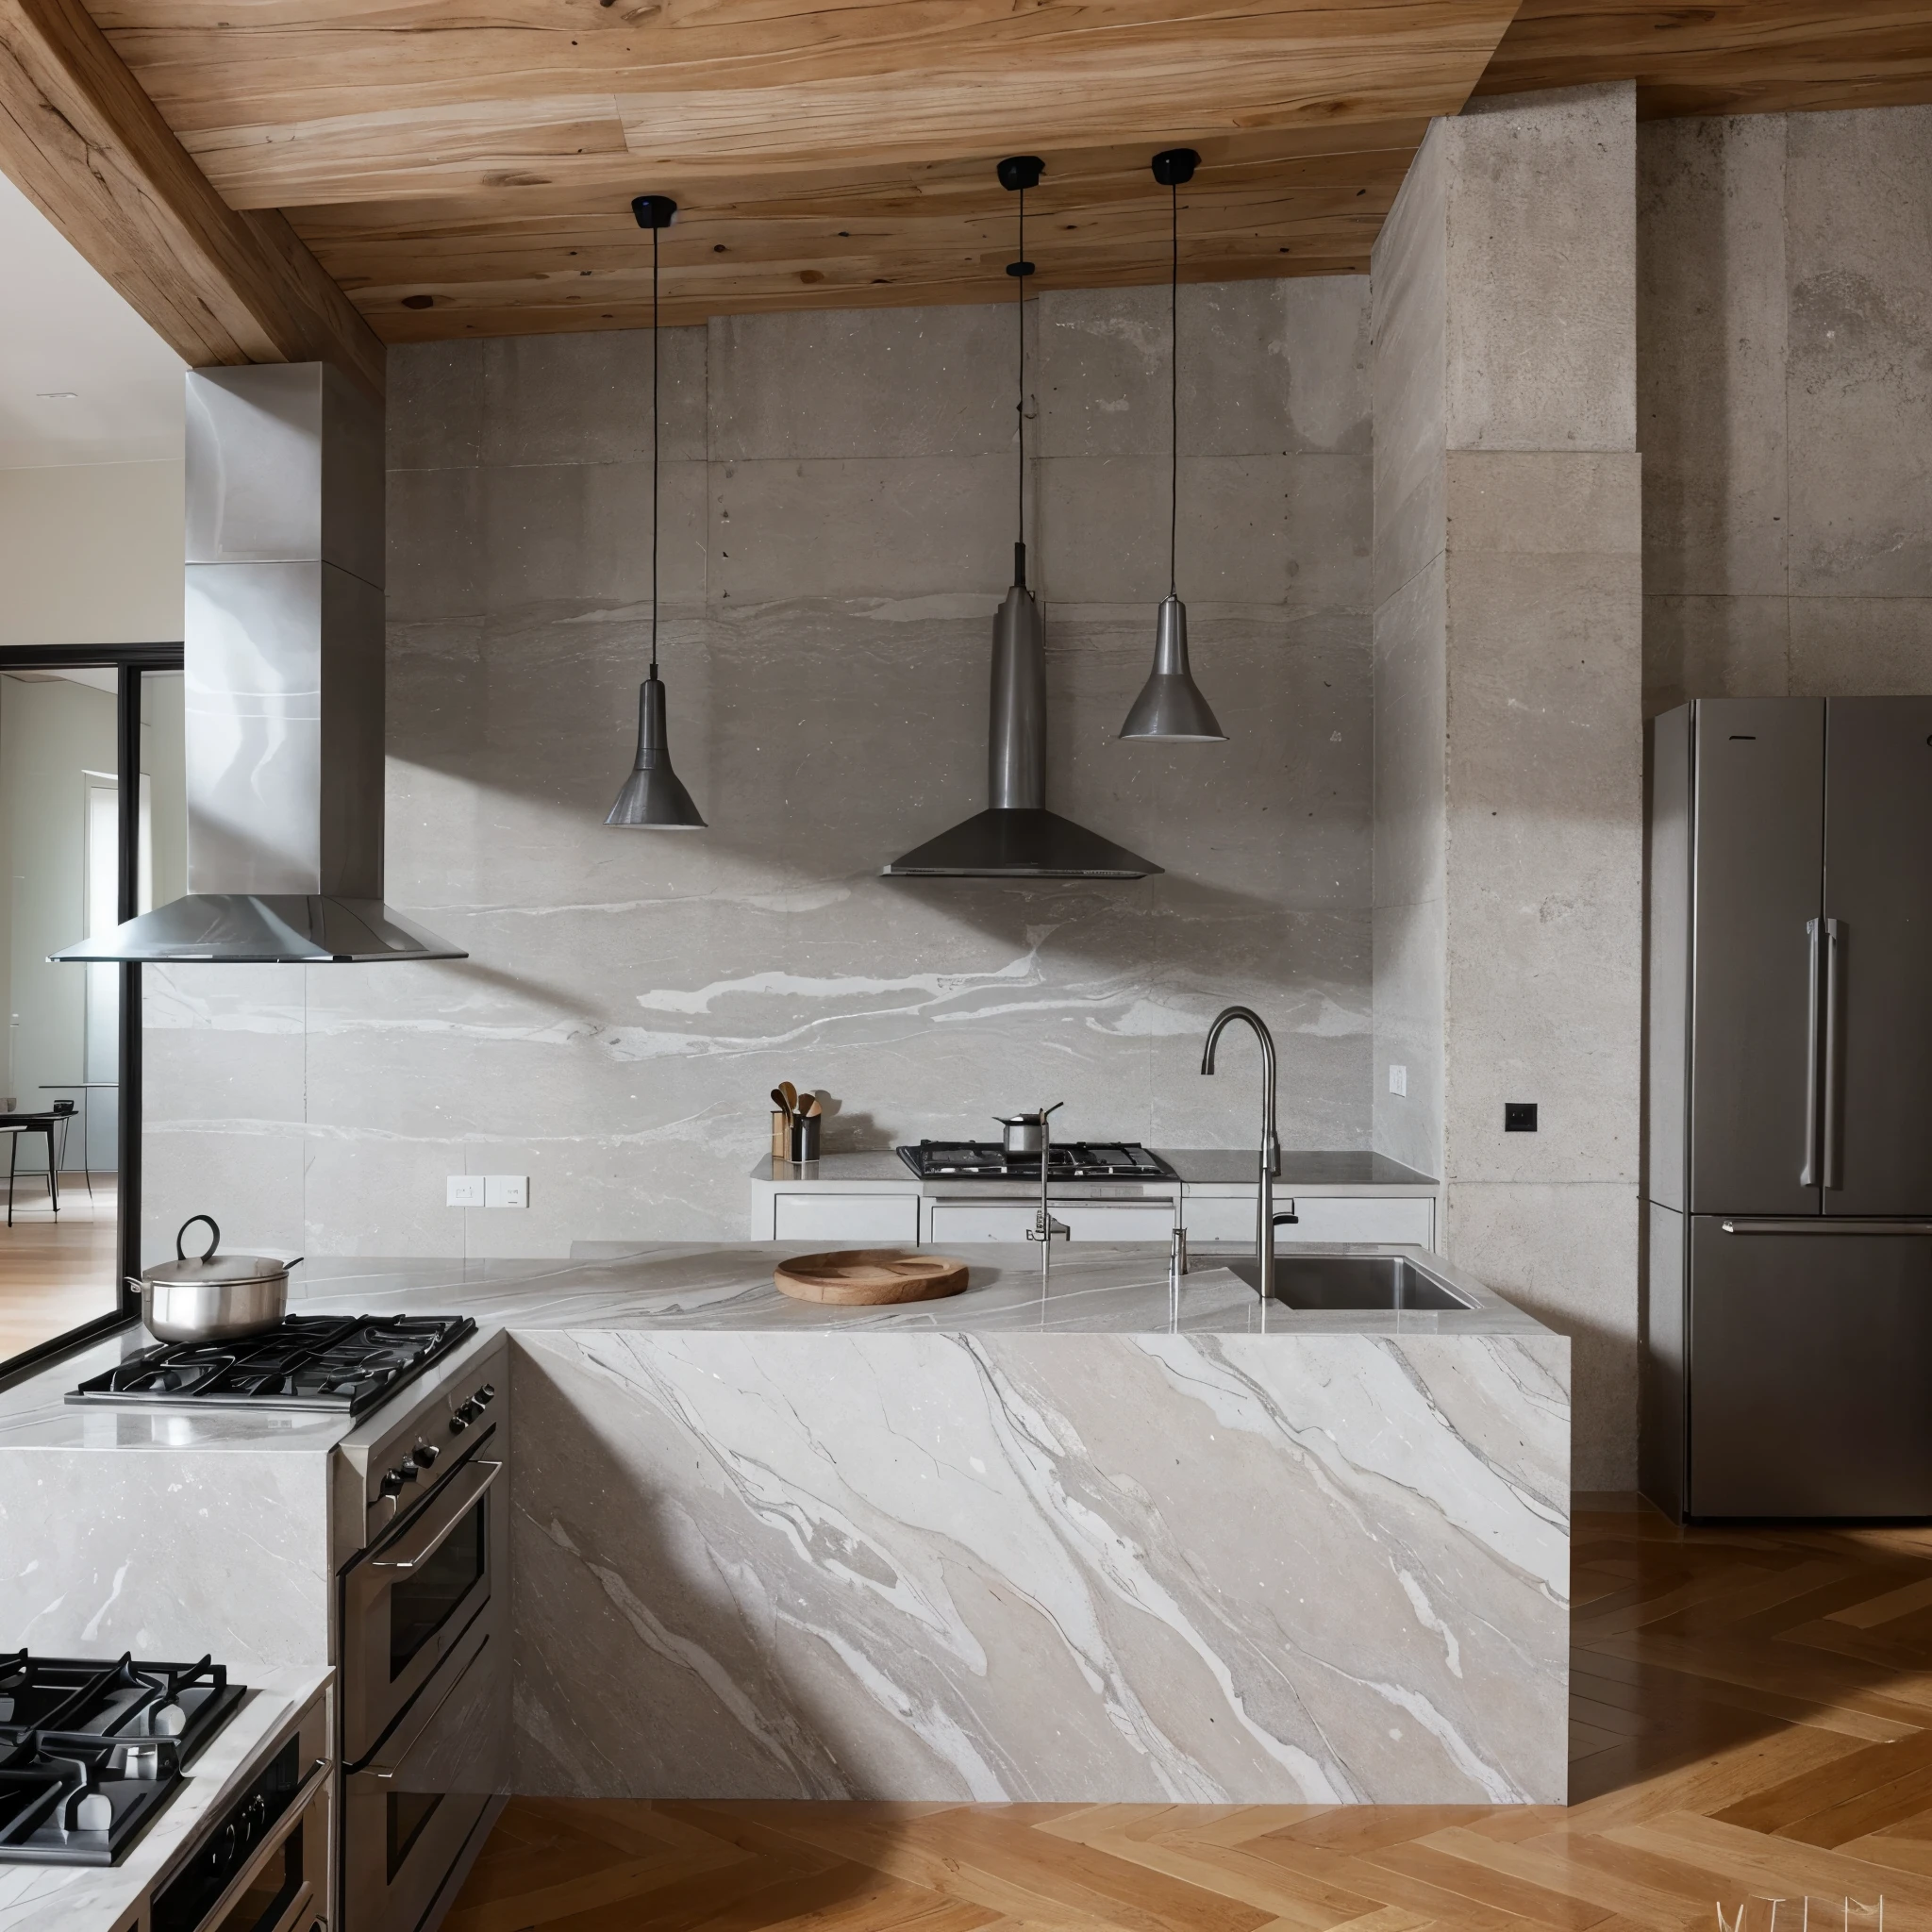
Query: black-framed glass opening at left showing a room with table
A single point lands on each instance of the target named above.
(94, 830)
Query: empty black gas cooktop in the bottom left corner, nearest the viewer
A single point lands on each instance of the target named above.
(90, 1751)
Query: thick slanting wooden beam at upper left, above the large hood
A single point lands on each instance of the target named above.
(94, 154)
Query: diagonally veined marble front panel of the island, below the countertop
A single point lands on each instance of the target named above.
(1321, 1568)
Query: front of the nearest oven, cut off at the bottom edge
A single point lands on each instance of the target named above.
(262, 1863)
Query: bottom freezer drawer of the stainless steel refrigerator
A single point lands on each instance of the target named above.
(1811, 1361)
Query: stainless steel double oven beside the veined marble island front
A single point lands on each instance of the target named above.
(424, 1643)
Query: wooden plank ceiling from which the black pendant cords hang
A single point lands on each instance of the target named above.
(465, 167)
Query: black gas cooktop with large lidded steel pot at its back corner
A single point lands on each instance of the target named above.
(341, 1365)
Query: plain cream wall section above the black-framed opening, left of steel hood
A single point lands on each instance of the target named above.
(92, 554)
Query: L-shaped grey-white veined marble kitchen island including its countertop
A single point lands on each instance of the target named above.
(1093, 1543)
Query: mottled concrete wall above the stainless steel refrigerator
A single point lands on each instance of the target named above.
(1786, 397)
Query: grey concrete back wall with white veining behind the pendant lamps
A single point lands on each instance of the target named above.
(838, 534)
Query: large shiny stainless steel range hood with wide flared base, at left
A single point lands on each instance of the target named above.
(283, 650)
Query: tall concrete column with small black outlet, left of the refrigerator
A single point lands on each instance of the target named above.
(1508, 716)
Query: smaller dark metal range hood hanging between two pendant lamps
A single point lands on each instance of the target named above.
(1017, 838)
